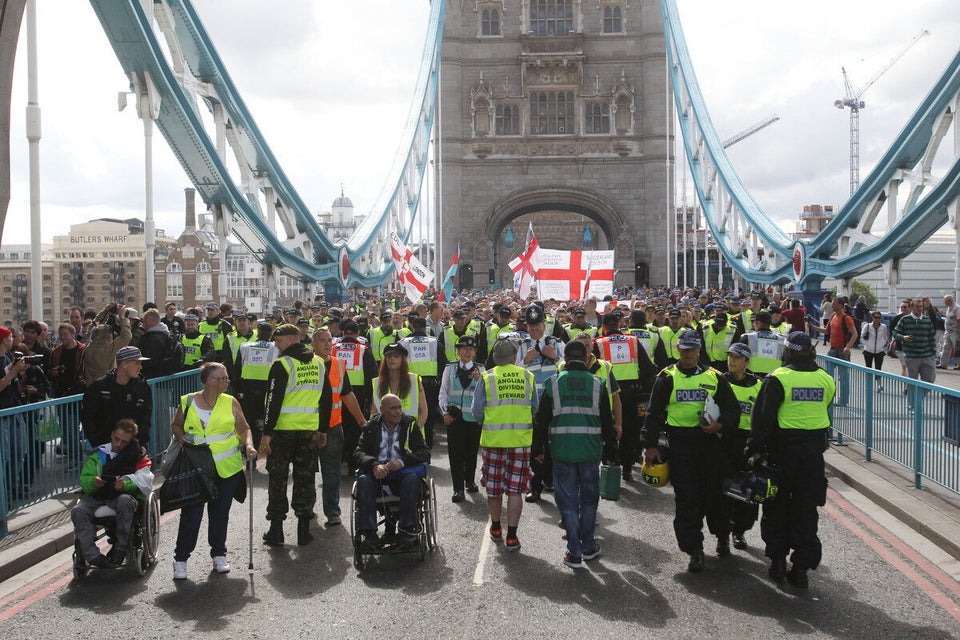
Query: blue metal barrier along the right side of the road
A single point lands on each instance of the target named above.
(912, 423)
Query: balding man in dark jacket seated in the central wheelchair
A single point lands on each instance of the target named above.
(391, 458)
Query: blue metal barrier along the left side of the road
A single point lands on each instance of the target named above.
(42, 448)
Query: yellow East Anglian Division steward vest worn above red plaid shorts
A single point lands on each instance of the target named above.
(508, 414)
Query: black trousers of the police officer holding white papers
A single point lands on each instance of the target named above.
(696, 464)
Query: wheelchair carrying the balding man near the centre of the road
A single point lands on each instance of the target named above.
(388, 512)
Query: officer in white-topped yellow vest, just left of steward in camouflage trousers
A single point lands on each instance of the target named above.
(252, 369)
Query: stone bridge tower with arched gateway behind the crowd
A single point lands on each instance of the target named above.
(555, 112)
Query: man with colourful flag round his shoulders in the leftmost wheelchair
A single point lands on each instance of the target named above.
(117, 475)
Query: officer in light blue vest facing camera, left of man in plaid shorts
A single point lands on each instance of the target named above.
(457, 386)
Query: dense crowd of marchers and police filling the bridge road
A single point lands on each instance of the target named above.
(541, 392)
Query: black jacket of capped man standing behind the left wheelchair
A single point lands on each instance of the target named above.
(105, 402)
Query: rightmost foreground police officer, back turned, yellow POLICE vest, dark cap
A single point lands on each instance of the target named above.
(789, 427)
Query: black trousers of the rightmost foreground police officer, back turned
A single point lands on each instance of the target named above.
(790, 520)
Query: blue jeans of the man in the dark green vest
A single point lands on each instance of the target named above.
(576, 488)
